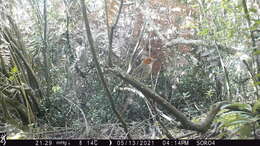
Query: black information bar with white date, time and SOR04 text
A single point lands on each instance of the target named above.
(92, 142)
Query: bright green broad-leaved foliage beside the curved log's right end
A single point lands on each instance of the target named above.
(240, 119)
